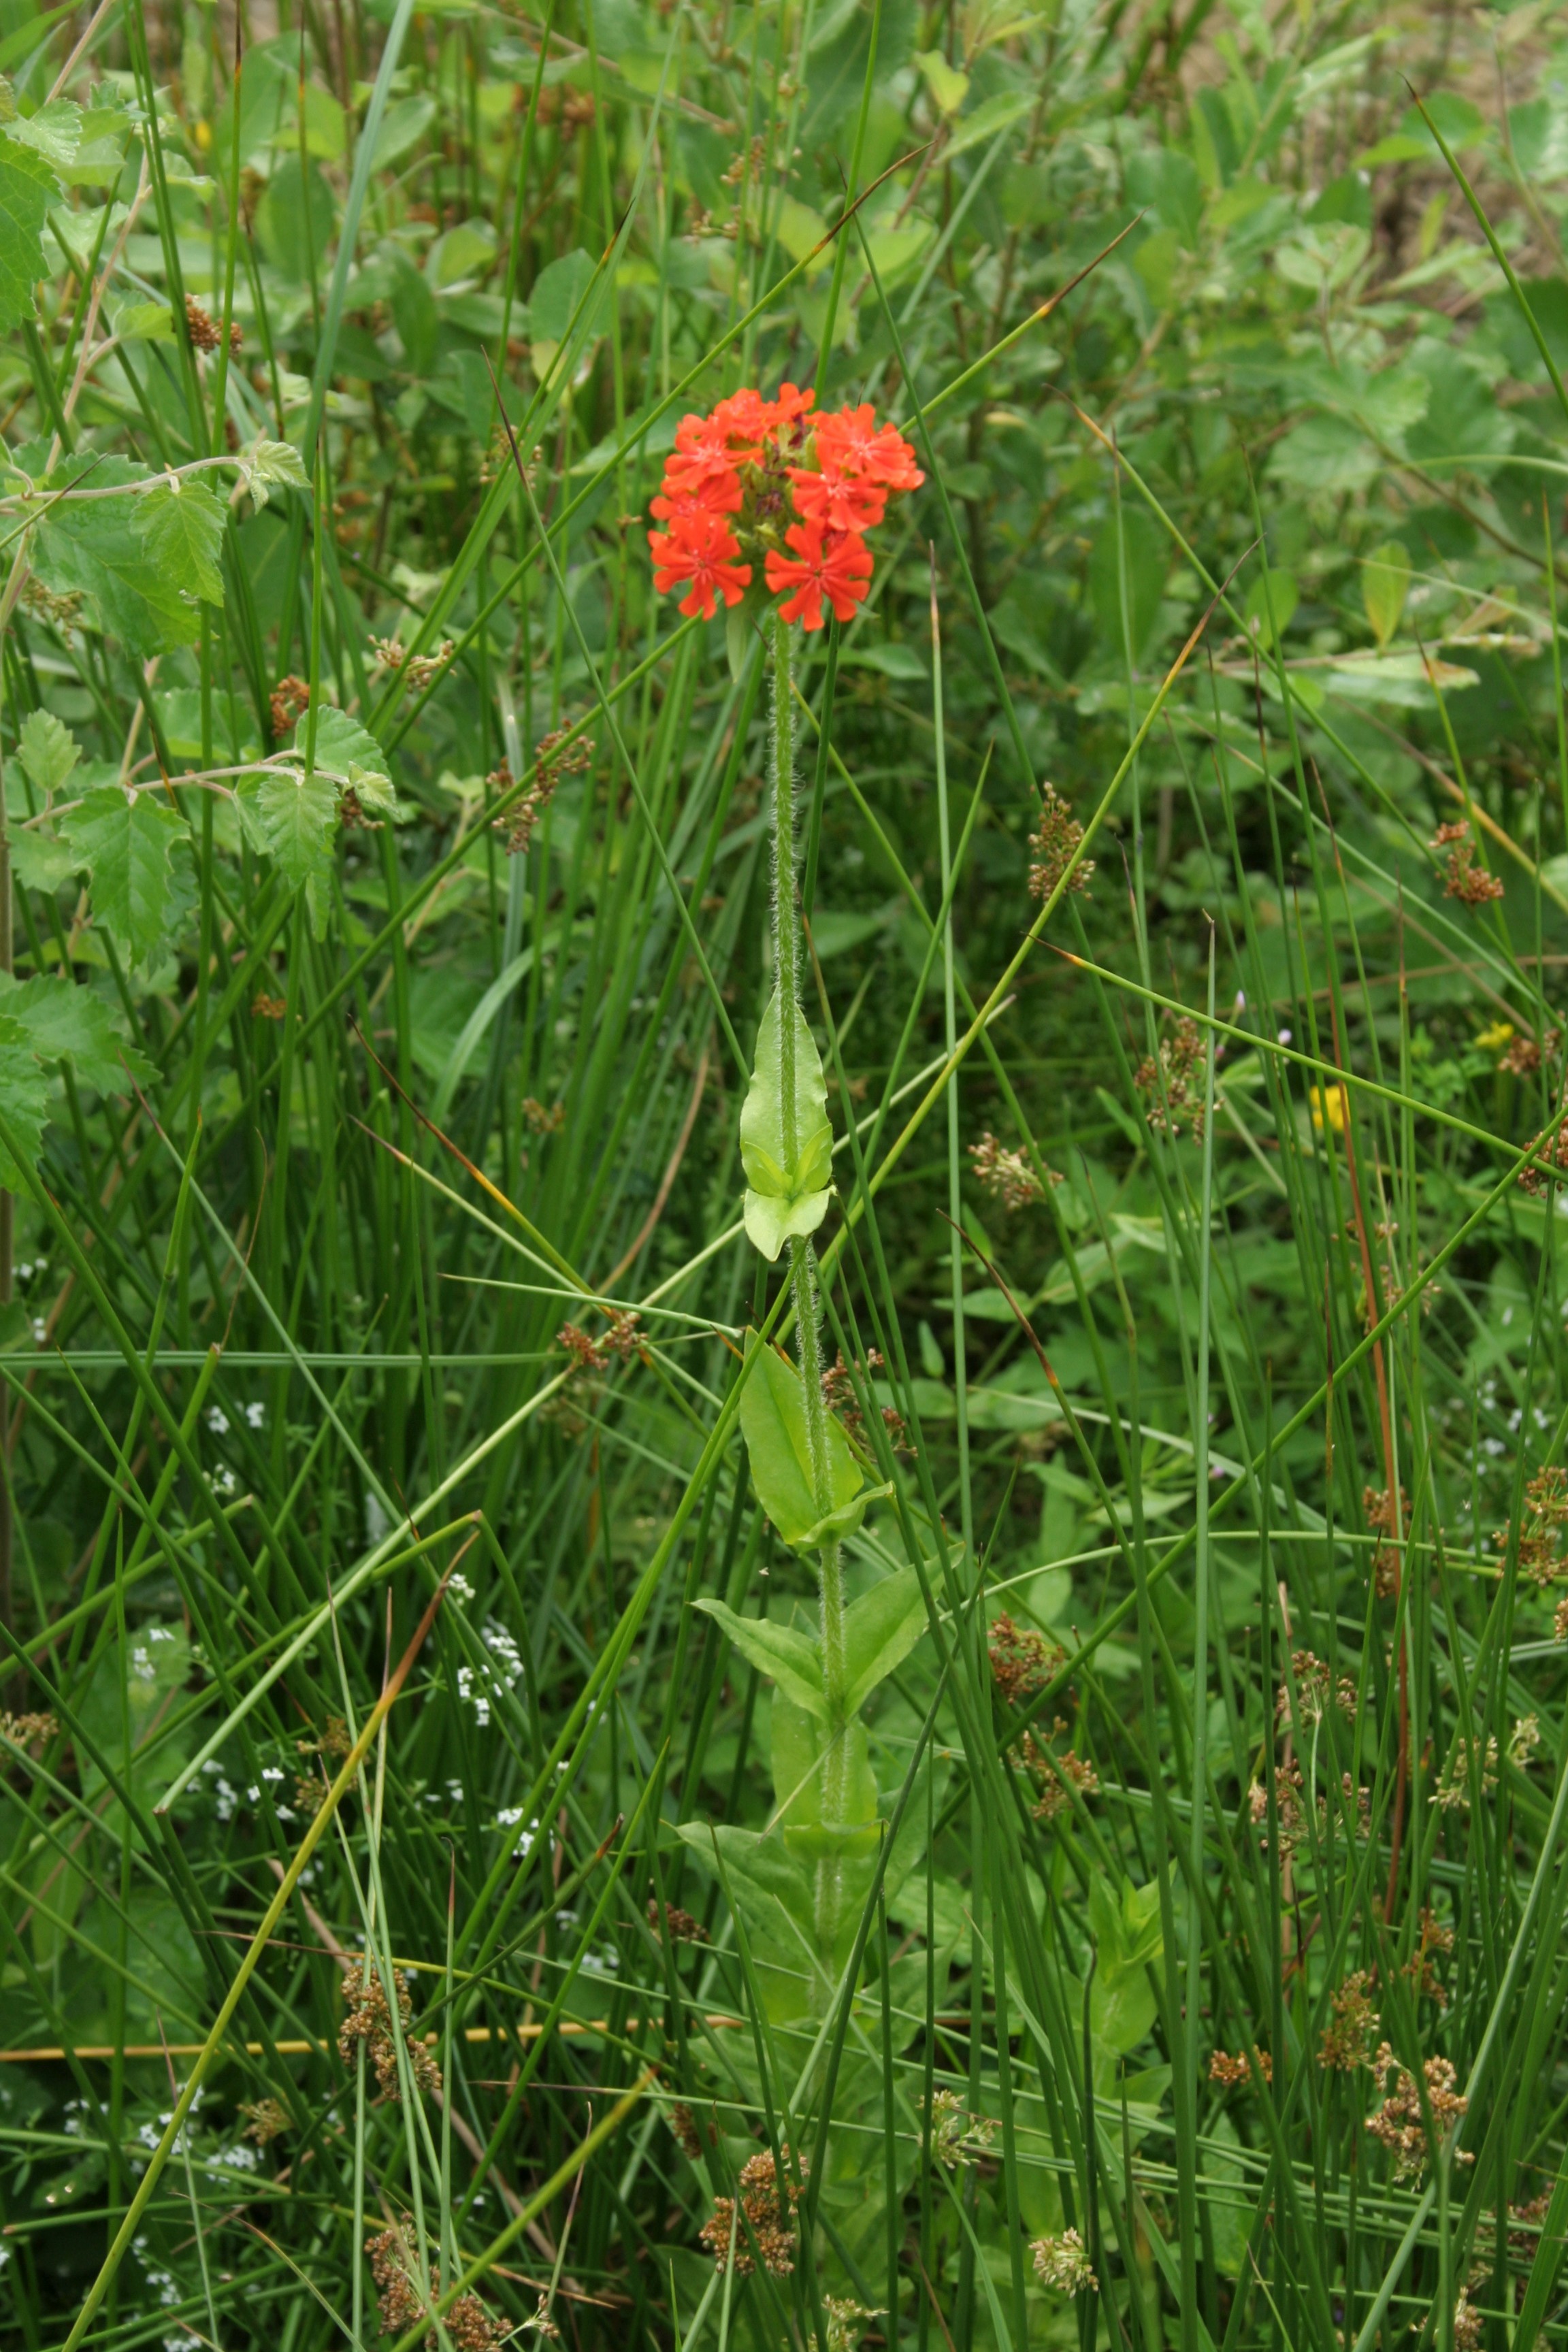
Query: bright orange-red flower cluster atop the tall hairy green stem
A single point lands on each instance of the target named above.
(765, 476)
